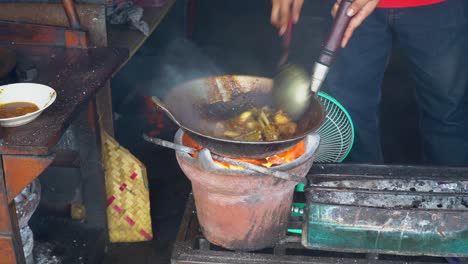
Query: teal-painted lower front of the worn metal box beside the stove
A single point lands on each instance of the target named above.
(385, 231)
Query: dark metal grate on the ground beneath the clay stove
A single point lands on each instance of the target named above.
(192, 247)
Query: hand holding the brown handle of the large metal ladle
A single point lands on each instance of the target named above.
(359, 10)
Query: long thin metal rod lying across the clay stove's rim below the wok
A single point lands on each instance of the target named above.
(244, 165)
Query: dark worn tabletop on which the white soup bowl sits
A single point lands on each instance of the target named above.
(76, 75)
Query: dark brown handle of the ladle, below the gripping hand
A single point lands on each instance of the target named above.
(335, 37)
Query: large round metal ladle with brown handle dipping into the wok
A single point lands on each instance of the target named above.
(292, 87)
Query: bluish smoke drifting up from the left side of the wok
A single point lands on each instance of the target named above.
(161, 68)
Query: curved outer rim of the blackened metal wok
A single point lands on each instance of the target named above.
(312, 130)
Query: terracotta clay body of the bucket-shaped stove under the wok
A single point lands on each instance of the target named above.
(240, 209)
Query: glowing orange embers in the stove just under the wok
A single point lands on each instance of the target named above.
(278, 159)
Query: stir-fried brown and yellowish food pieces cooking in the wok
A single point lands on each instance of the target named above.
(257, 124)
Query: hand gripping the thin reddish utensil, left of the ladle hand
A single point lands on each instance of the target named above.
(281, 10)
